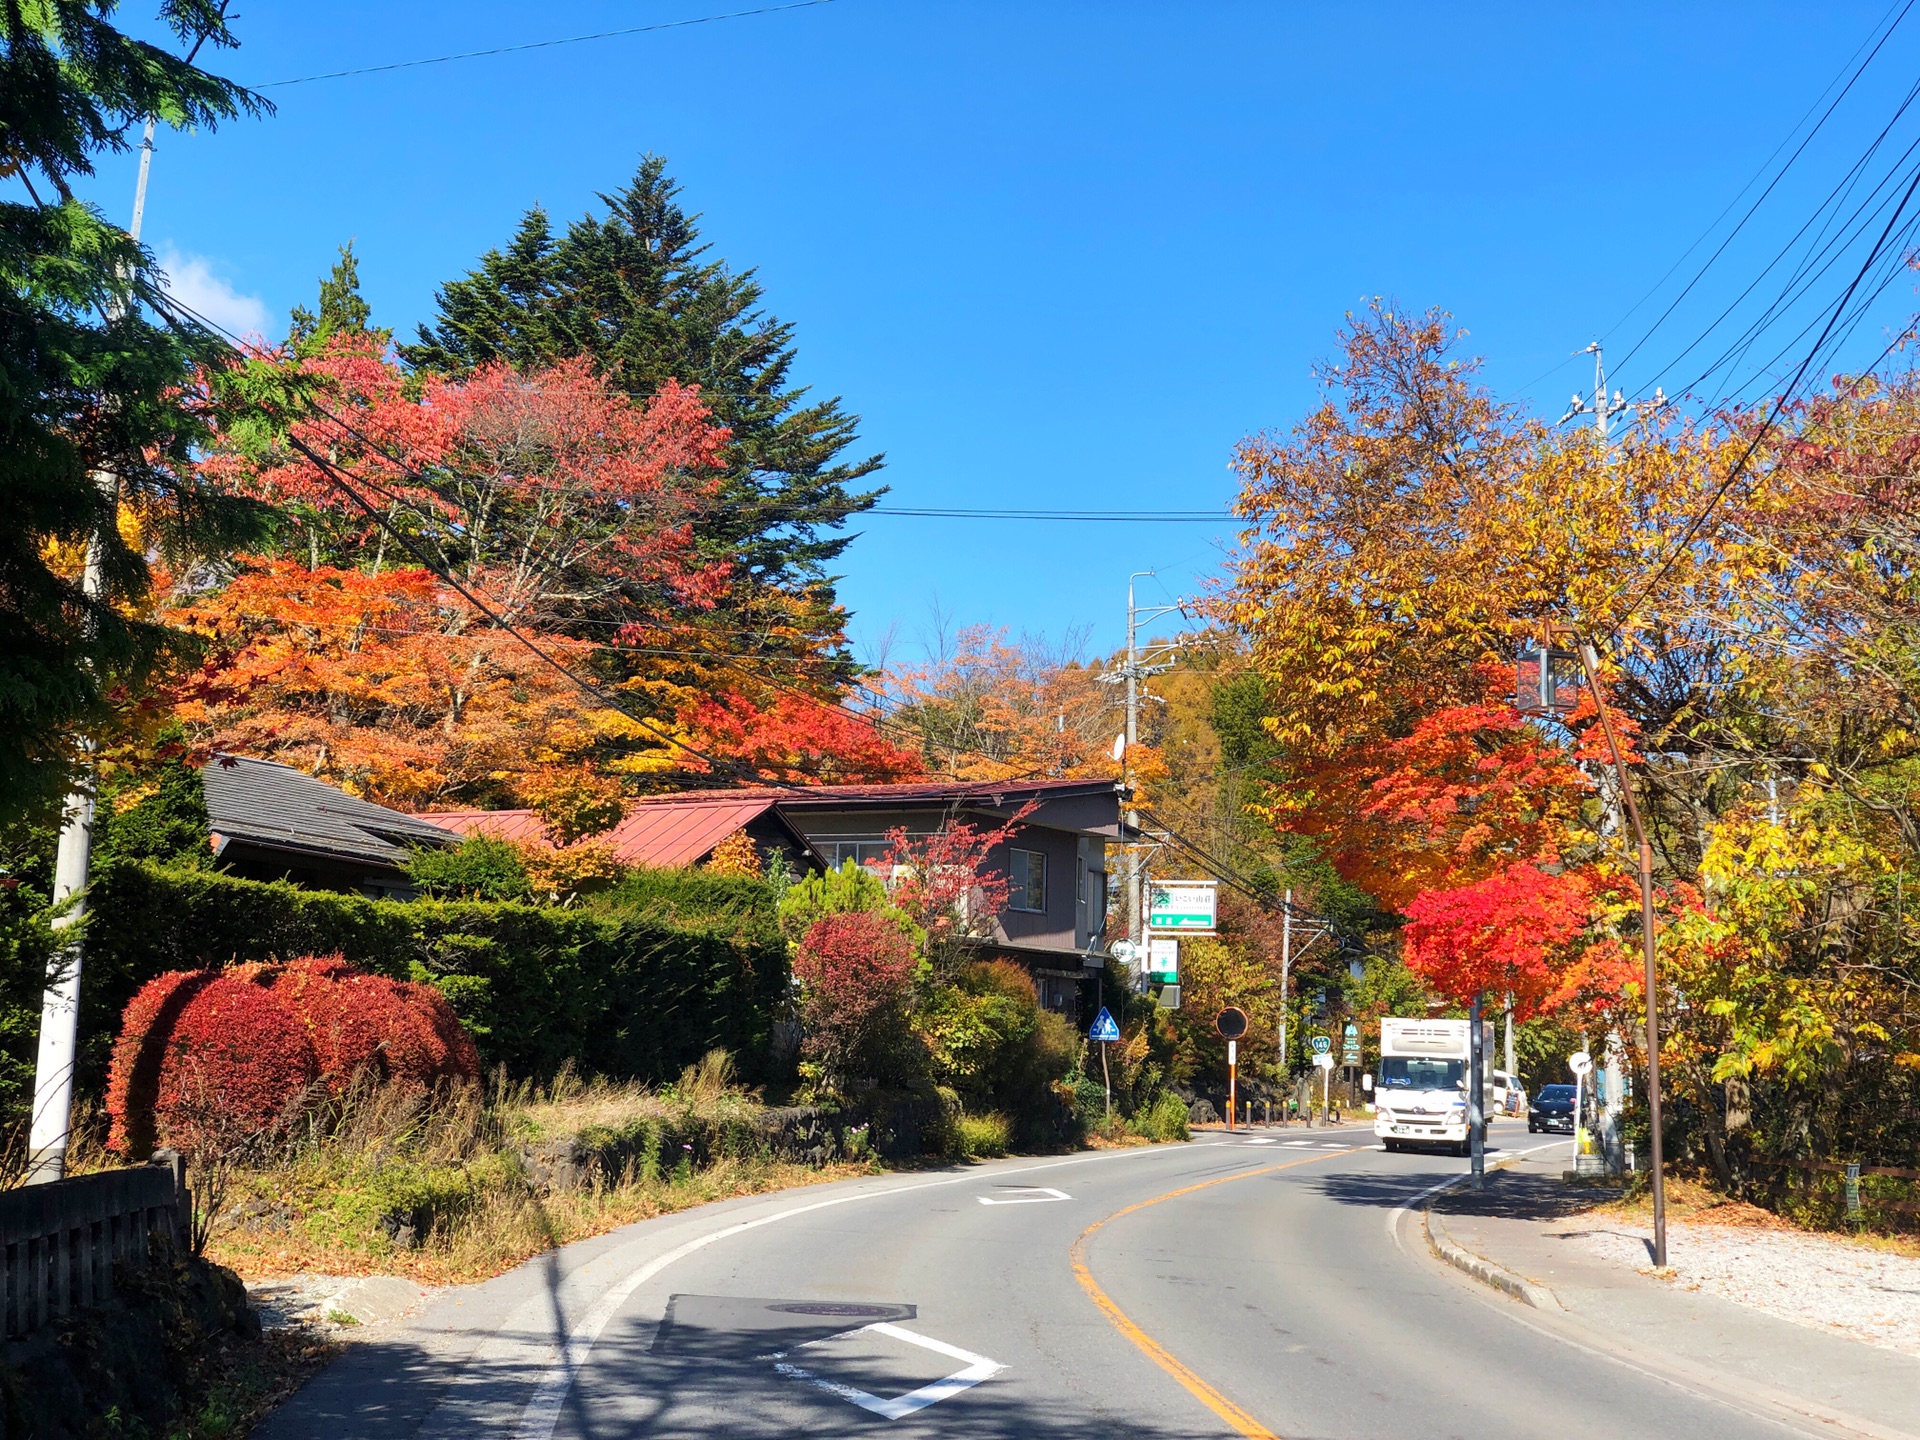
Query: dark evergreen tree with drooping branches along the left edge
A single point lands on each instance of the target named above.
(91, 383)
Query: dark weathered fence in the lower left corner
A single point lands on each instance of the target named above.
(60, 1241)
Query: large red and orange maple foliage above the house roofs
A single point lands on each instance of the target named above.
(550, 508)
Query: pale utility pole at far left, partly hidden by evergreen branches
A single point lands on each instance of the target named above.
(60, 1003)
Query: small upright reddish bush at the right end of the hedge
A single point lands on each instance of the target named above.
(855, 972)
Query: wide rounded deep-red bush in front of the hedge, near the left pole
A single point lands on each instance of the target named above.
(212, 1059)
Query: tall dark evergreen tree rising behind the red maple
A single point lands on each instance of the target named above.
(636, 291)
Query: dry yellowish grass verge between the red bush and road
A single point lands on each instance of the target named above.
(437, 1188)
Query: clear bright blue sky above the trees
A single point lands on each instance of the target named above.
(1059, 256)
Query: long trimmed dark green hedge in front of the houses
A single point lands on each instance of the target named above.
(635, 988)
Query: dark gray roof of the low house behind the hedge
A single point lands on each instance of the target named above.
(283, 809)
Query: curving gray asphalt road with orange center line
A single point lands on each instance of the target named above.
(1214, 1289)
